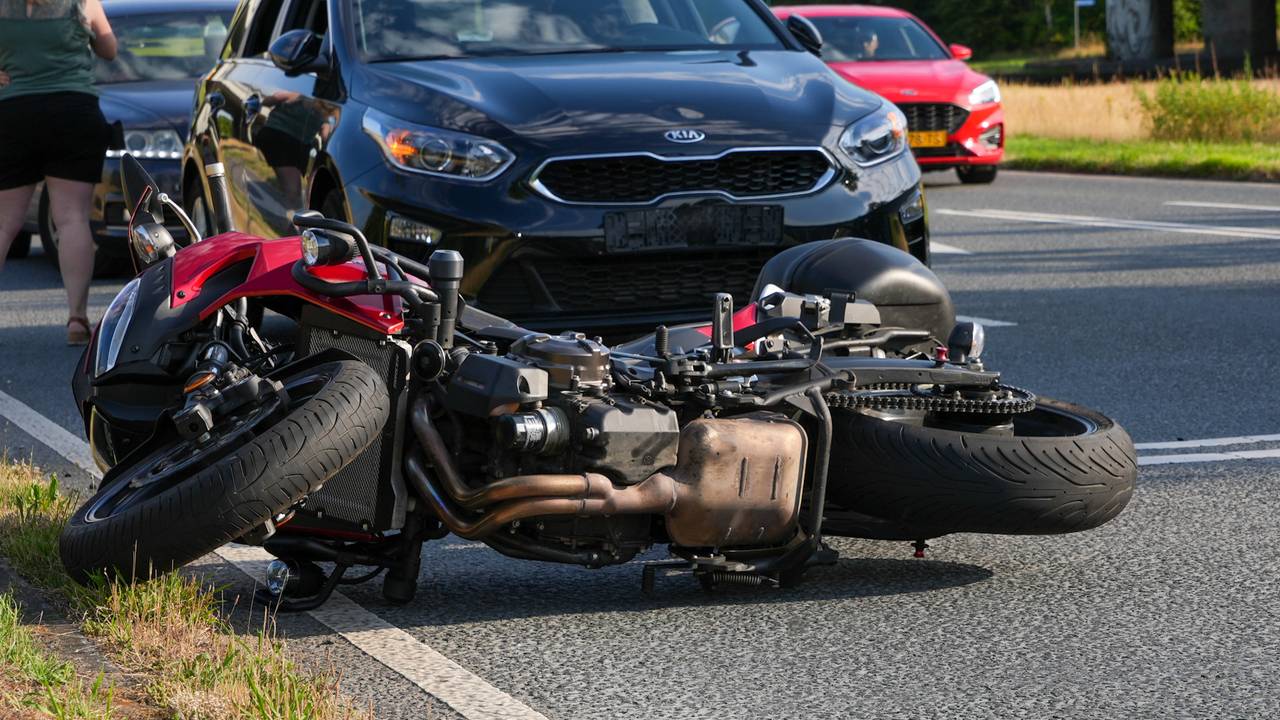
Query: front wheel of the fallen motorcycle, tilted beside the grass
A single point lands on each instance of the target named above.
(231, 485)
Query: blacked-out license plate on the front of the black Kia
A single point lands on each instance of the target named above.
(701, 226)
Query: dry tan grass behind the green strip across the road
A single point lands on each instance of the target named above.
(1089, 112)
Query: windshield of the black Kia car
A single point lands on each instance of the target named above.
(399, 30)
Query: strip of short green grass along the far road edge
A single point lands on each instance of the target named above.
(1237, 162)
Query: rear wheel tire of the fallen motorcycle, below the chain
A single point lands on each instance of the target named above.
(1064, 470)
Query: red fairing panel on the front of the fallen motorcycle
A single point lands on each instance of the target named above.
(272, 274)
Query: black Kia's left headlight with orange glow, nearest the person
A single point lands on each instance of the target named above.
(422, 149)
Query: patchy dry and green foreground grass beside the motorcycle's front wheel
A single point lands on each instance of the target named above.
(170, 632)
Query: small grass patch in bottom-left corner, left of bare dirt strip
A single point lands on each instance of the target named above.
(38, 682)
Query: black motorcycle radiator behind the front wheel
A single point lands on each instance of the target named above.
(371, 493)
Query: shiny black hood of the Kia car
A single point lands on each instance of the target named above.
(621, 101)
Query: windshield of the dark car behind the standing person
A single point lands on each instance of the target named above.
(164, 47)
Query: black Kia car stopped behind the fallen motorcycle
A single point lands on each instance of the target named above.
(598, 163)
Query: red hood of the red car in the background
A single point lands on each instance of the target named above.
(915, 81)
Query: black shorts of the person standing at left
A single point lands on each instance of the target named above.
(56, 135)
